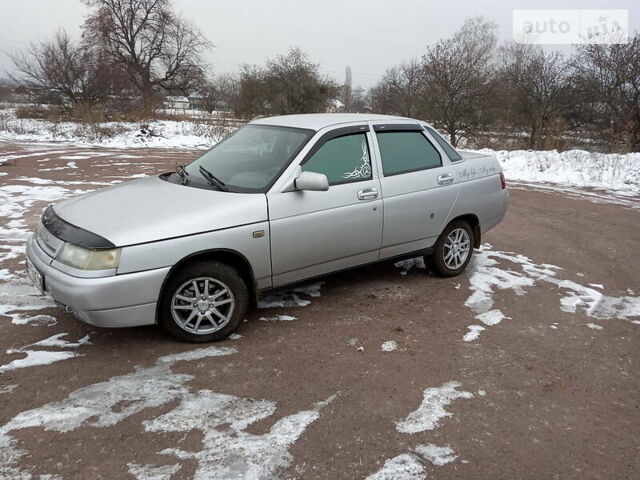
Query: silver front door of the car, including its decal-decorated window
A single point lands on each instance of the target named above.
(314, 233)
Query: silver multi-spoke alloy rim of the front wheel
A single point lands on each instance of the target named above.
(202, 305)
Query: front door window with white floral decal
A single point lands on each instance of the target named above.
(342, 160)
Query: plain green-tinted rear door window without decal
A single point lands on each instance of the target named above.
(404, 152)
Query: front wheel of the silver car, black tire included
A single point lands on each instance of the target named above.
(203, 302)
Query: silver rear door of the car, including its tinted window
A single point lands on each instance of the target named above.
(418, 188)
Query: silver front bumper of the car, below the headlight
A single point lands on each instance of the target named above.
(126, 300)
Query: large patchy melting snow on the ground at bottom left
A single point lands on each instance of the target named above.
(229, 451)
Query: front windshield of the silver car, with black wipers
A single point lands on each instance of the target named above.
(251, 158)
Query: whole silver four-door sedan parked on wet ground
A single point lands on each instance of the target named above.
(281, 200)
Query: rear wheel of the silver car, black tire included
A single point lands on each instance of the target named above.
(453, 250)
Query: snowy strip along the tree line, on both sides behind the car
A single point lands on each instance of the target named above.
(619, 173)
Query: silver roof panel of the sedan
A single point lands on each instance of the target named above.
(317, 121)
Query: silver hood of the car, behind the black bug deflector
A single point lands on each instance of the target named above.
(152, 209)
